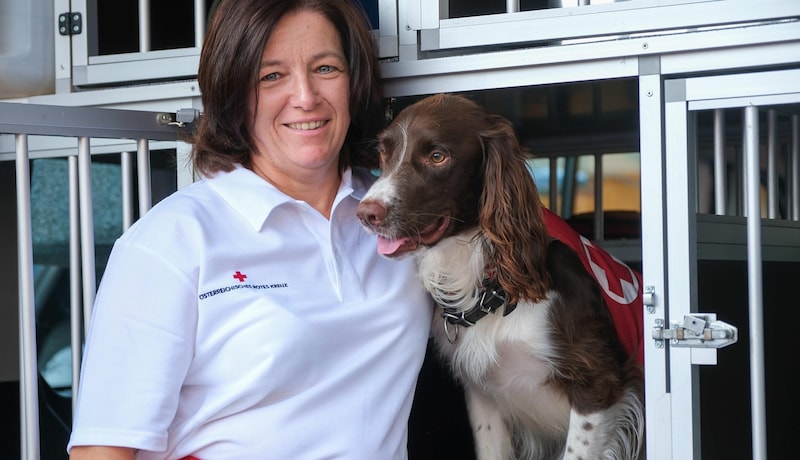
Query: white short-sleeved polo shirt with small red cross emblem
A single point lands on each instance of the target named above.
(234, 322)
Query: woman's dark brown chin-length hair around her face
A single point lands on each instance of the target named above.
(228, 75)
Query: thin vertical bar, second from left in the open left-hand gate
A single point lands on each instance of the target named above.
(75, 316)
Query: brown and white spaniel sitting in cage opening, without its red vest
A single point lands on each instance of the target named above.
(546, 376)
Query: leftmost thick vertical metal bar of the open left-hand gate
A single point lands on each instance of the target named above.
(28, 374)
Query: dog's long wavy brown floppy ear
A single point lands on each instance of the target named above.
(510, 214)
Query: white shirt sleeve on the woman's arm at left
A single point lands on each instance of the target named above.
(138, 350)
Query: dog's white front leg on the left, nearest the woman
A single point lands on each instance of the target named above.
(492, 436)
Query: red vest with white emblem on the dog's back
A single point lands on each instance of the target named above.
(621, 286)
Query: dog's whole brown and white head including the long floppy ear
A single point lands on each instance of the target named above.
(448, 166)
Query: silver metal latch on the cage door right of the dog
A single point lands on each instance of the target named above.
(701, 330)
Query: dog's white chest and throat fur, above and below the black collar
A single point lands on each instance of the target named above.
(503, 358)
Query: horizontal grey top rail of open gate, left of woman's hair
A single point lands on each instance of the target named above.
(36, 119)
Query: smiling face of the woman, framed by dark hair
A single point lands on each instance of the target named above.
(302, 113)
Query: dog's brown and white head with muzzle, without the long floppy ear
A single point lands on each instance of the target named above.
(431, 159)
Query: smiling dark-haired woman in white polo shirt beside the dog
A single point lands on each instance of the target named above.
(249, 316)
